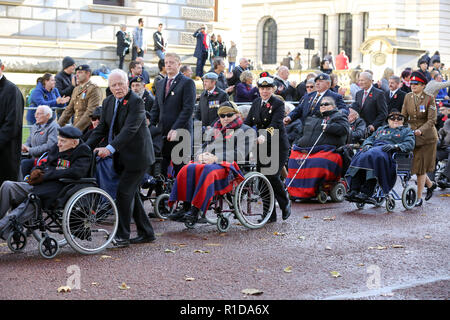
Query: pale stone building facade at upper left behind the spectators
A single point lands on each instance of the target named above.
(36, 34)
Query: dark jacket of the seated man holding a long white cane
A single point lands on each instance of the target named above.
(335, 134)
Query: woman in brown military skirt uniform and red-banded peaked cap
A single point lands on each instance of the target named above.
(419, 109)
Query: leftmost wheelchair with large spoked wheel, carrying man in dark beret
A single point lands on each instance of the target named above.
(84, 214)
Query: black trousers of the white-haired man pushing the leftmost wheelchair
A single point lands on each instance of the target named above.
(129, 204)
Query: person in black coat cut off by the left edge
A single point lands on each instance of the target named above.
(11, 119)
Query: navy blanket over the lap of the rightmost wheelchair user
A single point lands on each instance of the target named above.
(378, 164)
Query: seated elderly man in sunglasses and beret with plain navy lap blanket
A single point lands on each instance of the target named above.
(374, 163)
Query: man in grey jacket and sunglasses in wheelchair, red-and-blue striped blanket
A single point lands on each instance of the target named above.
(216, 172)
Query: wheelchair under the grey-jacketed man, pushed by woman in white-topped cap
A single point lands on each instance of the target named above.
(251, 202)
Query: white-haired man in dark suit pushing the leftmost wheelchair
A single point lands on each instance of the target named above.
(130, 147)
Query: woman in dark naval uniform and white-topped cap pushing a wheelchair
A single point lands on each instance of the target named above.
(267, 113)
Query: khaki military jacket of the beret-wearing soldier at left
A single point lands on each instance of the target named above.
(85, 99)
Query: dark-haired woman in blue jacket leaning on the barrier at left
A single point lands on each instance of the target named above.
(47, 94)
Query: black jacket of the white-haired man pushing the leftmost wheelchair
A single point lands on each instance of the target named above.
(131, 136)
